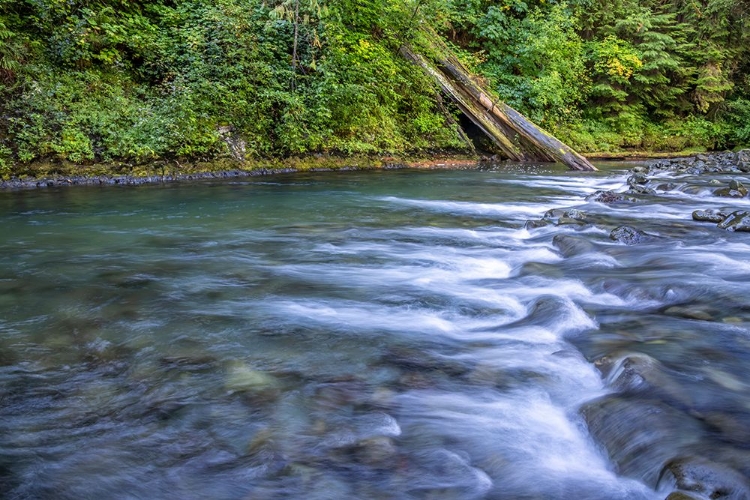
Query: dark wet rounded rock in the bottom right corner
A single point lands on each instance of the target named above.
(709, 479)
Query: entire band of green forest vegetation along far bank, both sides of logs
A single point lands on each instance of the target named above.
(103, 80)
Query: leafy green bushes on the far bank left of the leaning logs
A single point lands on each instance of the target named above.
(144, 80)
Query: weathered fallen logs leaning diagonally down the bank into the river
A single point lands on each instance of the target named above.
(515, 135)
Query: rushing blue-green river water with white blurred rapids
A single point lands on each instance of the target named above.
(369, 335)
